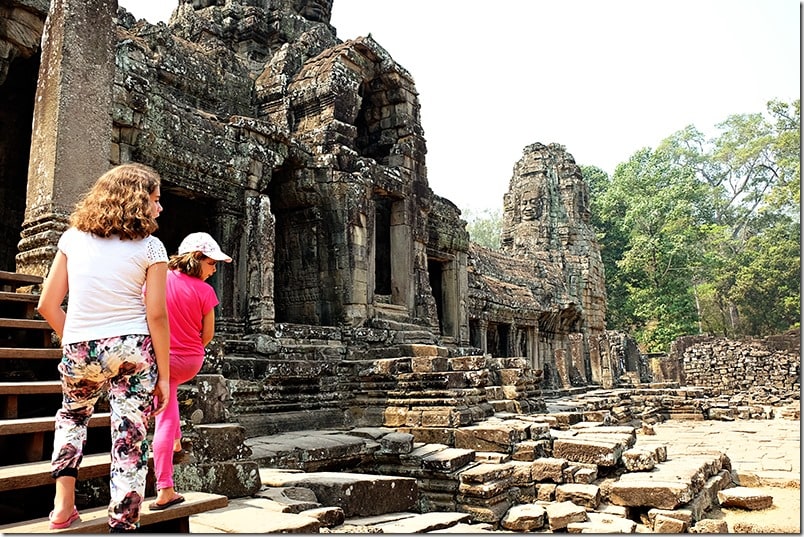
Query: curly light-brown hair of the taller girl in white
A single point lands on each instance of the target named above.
(119, 203)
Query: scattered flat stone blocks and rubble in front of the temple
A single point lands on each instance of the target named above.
(515, 473)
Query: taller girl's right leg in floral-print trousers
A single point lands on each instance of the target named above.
(131, 400)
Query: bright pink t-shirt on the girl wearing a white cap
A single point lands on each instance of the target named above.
(188, 300)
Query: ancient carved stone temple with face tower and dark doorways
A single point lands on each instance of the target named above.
(304, 155)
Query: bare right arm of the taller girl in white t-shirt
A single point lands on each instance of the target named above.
(156, 315)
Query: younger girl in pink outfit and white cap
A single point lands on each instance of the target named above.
(191, 310)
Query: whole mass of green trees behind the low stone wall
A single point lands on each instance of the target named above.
(702, 235)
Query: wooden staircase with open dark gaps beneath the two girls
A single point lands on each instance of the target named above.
(30, 394)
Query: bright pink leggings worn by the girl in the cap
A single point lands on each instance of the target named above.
(168, 425)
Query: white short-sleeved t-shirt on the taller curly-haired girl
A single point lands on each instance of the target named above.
(106, 278)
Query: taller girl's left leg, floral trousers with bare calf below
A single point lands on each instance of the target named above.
(82, 381)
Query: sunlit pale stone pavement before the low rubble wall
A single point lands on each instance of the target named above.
(762, 452)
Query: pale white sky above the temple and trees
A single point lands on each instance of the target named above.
(602, 78)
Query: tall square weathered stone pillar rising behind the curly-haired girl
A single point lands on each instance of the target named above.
(72, 125)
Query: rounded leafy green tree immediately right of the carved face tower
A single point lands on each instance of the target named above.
(650, 208)
